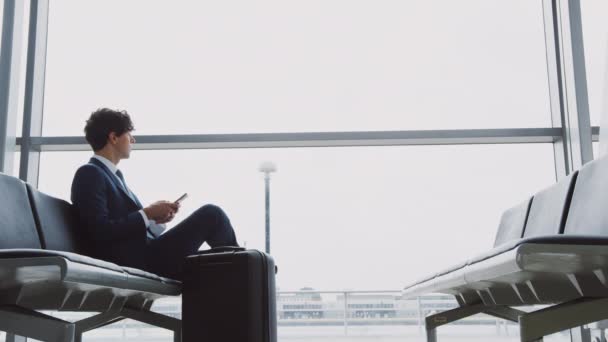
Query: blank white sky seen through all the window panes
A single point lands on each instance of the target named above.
(342, 218)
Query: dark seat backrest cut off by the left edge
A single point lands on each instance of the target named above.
(17, 225)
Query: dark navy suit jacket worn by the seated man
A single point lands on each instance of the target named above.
(108, 214)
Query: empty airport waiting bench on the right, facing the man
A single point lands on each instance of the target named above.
(550, 250)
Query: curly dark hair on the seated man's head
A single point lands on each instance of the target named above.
(104, 121)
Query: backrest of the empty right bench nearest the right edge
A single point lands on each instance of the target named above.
(588, 213)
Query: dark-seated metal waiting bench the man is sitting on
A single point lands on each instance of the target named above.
(43, 267)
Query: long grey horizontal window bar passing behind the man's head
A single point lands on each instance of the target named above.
(323, 139)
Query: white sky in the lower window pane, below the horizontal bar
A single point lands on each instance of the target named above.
(343, 218)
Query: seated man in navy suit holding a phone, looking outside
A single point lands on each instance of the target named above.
(121, 230)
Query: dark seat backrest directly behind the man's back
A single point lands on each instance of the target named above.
(57, 222)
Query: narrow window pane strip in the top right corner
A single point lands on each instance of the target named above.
(595, 35)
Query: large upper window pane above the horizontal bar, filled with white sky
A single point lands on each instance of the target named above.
(283, 66)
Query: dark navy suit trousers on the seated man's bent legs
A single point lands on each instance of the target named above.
(165, 255)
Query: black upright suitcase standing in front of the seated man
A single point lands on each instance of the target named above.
(229, 296)
